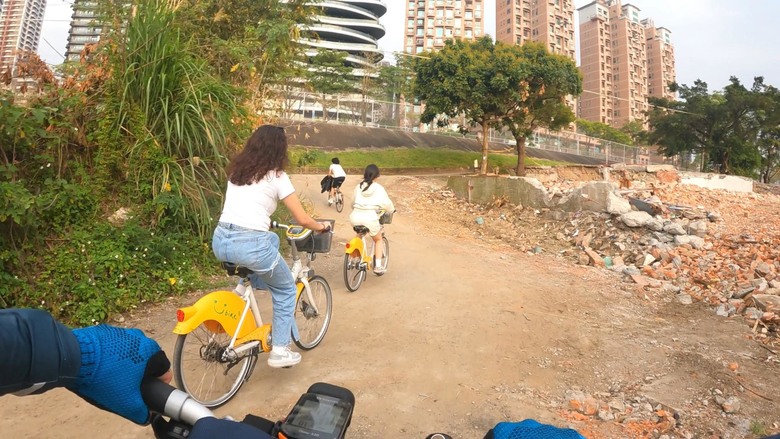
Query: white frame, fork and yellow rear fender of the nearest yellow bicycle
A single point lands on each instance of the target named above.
(229, 312)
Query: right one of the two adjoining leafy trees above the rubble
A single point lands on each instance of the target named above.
(548, 79)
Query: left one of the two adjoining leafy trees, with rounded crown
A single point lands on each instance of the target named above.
(473, 78)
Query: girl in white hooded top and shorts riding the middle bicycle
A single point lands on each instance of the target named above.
(369, 198)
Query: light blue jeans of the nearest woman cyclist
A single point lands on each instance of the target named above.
(259, 252)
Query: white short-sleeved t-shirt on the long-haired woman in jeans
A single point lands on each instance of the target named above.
(251, 205)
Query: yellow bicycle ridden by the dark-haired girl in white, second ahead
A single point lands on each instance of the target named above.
(359, 253)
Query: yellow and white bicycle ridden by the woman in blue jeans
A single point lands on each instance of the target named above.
(221, 335)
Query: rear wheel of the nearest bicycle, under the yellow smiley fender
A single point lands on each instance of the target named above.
(201, 370)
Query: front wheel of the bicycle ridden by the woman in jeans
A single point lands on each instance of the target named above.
(312, 314)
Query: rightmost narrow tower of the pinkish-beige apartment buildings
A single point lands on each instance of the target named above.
(660, 61)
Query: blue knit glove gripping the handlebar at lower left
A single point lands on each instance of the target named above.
(113, 364)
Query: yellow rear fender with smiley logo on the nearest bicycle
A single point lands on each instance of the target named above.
(220, 311)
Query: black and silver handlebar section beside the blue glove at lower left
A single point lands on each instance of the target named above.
(169, 401)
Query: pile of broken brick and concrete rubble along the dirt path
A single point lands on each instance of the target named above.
(696, 244)
